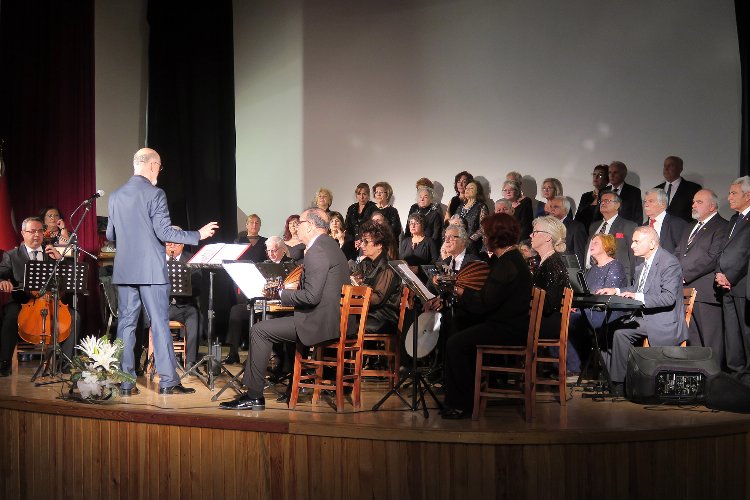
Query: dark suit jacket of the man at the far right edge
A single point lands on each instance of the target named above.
(735, 255)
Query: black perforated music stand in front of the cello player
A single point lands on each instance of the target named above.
(45, 277)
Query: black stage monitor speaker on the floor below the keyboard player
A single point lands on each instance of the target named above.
(669, 374)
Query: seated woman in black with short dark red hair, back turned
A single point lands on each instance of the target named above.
(502, 304)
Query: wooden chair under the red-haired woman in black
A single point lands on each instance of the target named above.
(526, 389)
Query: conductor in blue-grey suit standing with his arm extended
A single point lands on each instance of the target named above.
(140, 225)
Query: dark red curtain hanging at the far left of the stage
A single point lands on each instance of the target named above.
(47, 112)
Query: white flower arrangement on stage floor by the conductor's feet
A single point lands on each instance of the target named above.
(97, 370)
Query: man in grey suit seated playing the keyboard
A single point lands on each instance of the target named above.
(659, 287)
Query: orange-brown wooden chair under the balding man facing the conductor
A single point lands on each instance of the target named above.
(346, 357)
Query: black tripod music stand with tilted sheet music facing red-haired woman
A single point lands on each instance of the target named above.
(419, 384)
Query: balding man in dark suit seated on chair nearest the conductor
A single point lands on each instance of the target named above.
(316, 307)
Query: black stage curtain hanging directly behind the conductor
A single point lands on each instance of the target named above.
(191, 120)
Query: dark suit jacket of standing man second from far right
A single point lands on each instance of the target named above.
(698, 260)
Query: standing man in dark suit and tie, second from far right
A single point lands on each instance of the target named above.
(698, 251)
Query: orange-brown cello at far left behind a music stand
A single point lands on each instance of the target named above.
(36, 318)
